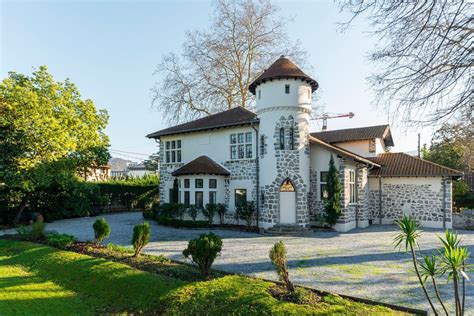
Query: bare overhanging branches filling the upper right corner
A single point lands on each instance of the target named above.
(424, 57)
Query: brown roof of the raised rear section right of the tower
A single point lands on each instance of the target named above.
(358, 133)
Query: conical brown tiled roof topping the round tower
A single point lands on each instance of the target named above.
(283, 67)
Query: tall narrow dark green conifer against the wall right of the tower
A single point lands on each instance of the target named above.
(332, 203)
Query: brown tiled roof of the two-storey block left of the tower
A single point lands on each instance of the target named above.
(232, 117)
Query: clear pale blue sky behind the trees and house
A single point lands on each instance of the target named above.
(110, 50)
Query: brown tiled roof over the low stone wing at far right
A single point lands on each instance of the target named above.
(401, 164)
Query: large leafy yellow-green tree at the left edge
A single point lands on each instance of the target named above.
(48, 132)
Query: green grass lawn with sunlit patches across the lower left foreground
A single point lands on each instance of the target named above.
(37, 280)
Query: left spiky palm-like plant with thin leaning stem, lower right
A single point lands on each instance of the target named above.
(410, 232)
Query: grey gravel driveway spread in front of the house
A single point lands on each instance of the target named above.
(360, 263)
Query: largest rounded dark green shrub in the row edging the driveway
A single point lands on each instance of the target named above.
(203, 251)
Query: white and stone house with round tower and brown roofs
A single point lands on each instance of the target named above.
(270, 157)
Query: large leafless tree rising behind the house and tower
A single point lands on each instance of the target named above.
(218, 64)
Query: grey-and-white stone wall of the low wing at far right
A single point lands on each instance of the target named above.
(421, 201)
